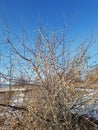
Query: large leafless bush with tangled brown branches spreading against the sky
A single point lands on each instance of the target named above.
(49, 62)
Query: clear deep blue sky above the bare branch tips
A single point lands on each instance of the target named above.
(83, 13)
